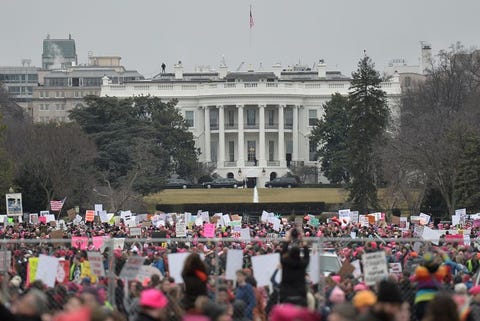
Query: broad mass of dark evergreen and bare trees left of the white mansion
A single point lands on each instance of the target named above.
(115, 151)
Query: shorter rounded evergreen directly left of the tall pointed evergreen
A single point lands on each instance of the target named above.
(331, 133)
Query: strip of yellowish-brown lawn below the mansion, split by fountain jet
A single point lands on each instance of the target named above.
(266, 195)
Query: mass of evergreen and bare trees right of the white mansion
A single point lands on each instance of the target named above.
(429, 155)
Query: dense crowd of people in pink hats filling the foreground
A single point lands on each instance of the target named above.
(435, 282)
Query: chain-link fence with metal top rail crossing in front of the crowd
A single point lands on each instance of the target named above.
(119, 268)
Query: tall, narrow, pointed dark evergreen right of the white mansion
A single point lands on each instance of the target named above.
(368, 115)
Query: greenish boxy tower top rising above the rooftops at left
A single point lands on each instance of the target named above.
(59, 53)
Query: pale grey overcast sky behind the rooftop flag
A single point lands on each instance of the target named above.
(199, 32)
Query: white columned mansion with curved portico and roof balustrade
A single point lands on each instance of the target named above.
(252, 126)
